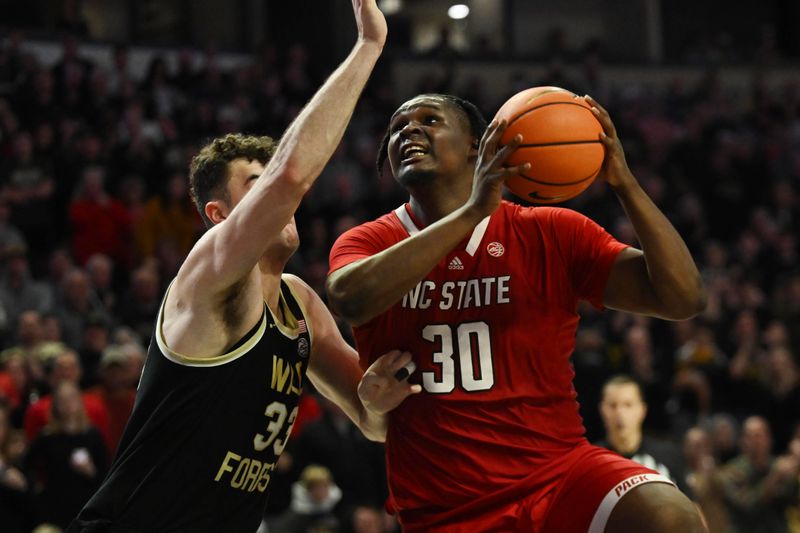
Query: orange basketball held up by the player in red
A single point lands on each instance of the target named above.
(561, 141)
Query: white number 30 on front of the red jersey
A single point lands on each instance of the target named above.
(470, 344)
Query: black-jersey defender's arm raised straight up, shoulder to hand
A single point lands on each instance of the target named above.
(228, 252)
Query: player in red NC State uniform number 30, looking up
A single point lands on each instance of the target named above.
(483, 292)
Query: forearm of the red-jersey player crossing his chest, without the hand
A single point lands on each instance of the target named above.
(362, 290)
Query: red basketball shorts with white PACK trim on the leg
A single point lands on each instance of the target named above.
(580, 501)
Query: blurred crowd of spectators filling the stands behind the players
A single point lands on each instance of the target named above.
(95, 219)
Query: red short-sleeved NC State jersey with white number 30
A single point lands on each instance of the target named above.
(491, 329)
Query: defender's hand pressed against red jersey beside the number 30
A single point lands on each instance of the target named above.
(379, 390)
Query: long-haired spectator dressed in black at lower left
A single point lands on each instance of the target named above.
(67, 460)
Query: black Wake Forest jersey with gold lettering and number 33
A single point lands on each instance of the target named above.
(205, 434)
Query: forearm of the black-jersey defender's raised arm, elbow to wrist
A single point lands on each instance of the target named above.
(312, 138)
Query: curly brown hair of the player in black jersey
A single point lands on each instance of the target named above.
(209, 171)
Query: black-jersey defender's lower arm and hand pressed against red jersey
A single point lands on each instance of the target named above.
(335, 372)
